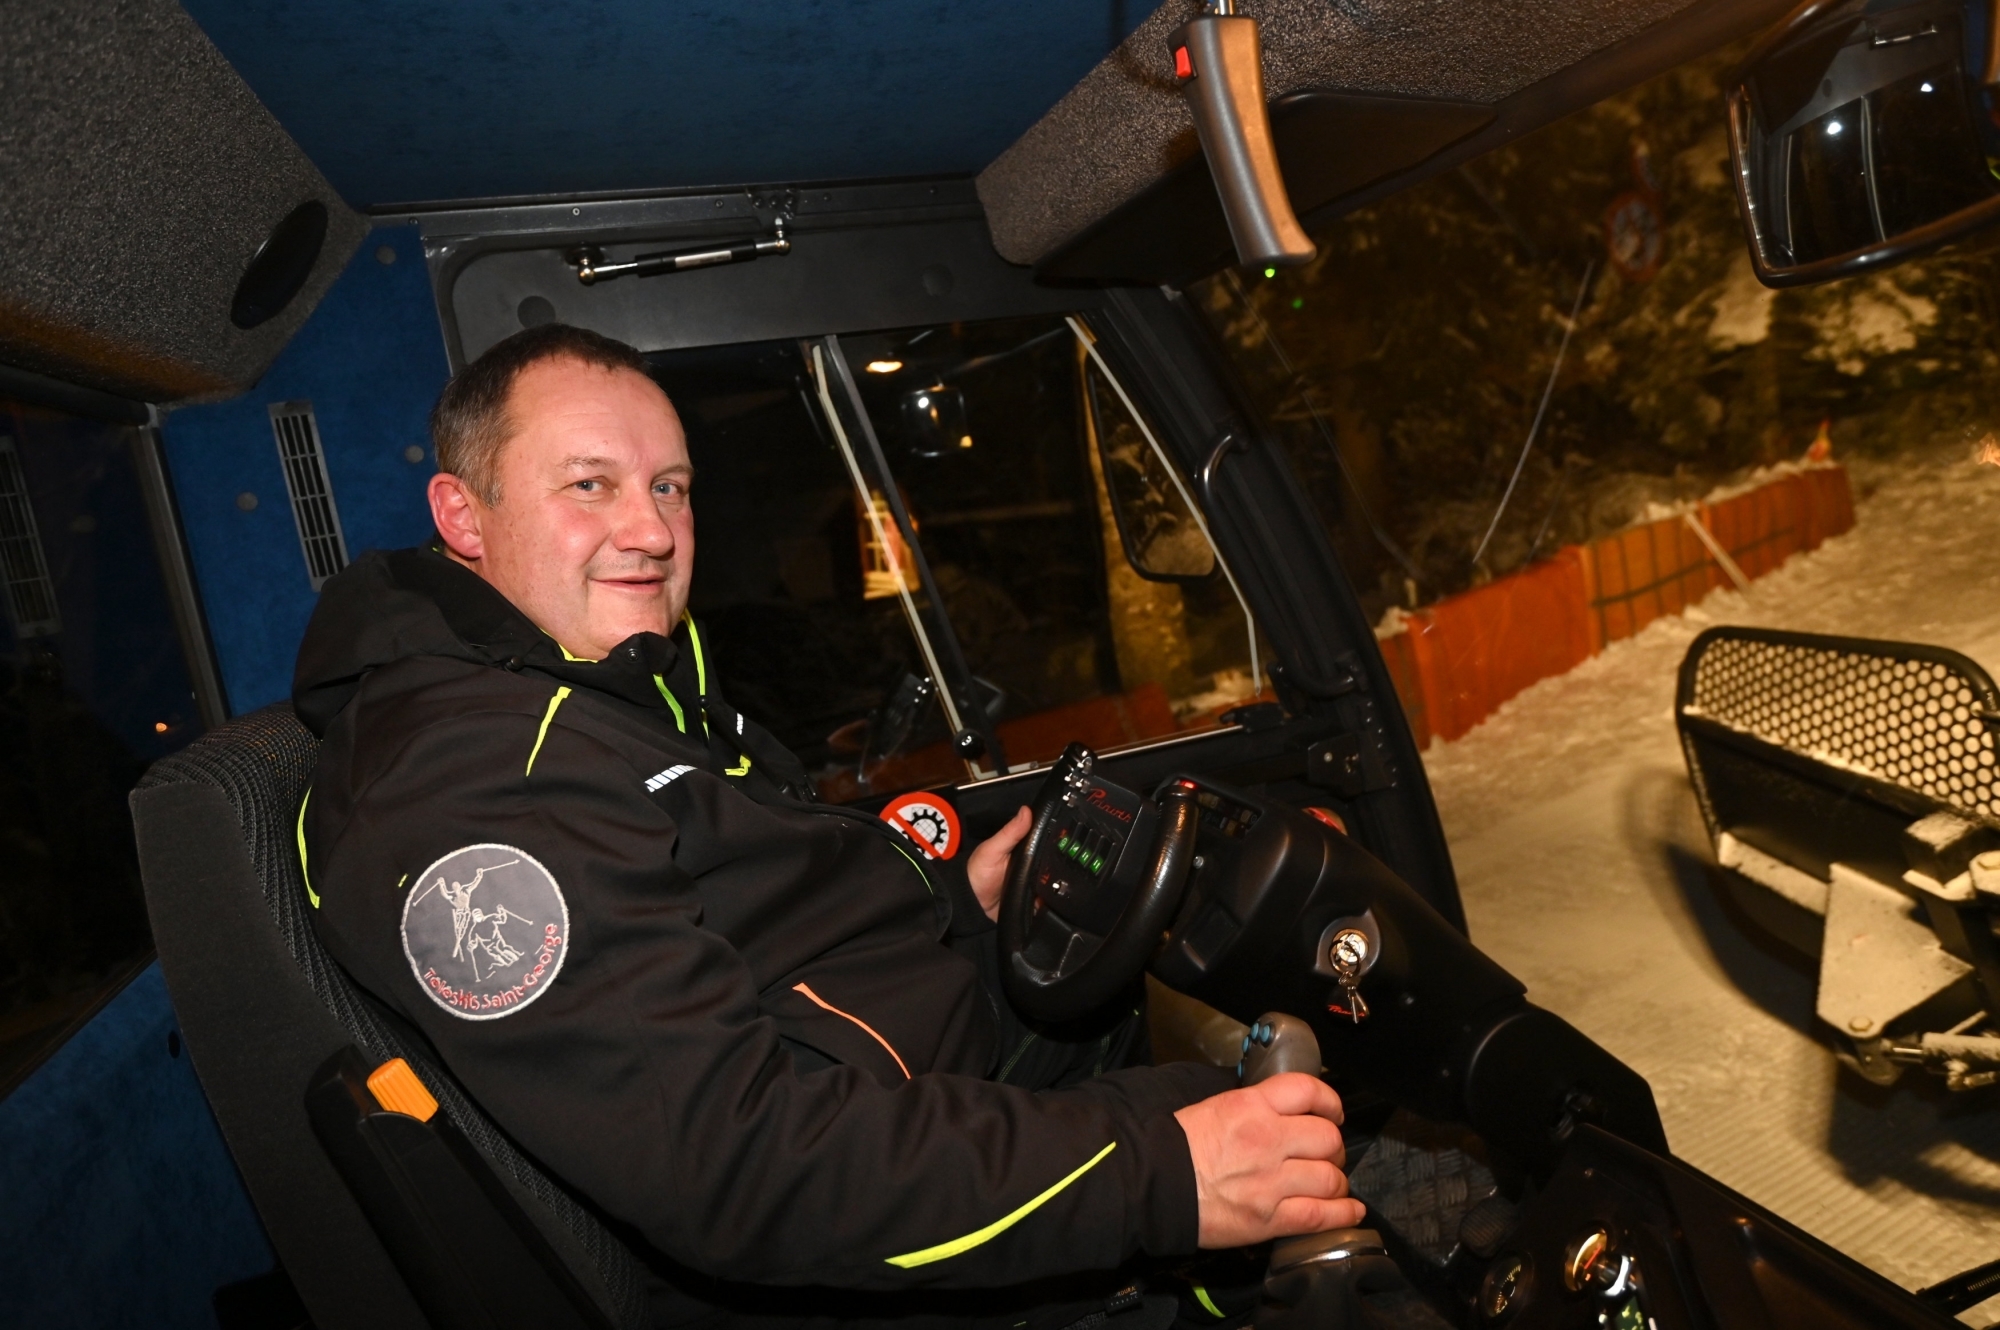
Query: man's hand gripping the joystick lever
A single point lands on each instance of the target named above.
(1269, 1163)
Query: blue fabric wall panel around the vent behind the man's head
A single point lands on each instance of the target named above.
(371, 361)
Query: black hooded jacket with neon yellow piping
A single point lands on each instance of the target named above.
(727, 1015)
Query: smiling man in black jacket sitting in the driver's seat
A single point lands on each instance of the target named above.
(749, 1027)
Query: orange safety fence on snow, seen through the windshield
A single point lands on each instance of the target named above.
(1461, 659)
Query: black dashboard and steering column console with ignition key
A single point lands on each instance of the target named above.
(1269, 911)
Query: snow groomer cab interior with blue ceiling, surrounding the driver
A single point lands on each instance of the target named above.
(985, 521)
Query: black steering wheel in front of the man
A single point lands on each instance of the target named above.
(1067, 953)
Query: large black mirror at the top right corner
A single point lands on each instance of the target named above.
(1865, 135)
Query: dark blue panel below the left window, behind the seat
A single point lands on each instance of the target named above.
(127, 1211)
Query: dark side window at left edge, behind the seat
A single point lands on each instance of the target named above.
(93, 687)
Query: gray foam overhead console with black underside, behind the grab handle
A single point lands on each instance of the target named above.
(1365, 99)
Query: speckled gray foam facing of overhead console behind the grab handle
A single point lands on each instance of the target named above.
(1125, 125)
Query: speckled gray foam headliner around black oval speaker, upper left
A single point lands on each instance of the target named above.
(137, 179)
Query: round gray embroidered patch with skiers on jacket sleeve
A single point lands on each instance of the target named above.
(485, 931)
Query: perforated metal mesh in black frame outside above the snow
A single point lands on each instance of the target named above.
(1915, 717)
